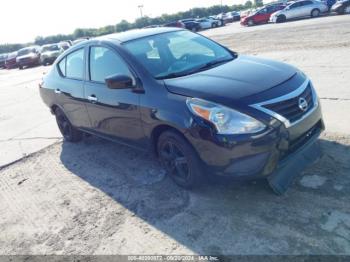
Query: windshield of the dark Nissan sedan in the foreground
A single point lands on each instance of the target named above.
(178, 53)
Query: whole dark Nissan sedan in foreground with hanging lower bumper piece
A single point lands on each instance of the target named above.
(202, 108)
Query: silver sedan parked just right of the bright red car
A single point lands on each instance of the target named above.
(299, 9)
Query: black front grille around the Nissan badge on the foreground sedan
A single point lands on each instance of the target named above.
(290, 109)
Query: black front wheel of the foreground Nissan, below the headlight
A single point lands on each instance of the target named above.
(179, 160)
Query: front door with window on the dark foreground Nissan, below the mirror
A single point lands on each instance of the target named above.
(113, 112)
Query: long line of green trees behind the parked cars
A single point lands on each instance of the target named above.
(138, 23)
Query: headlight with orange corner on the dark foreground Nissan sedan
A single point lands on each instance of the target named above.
(226, 120)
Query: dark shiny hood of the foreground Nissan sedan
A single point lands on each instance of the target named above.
(242, 77)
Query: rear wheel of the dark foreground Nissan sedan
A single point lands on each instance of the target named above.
(69, 132)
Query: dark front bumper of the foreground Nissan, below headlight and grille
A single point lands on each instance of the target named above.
(259, 156)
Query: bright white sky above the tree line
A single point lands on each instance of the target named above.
(22, 21)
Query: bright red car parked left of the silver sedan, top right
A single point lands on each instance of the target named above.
(262, 15)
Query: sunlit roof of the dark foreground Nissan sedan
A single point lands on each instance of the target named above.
(137, 33)
